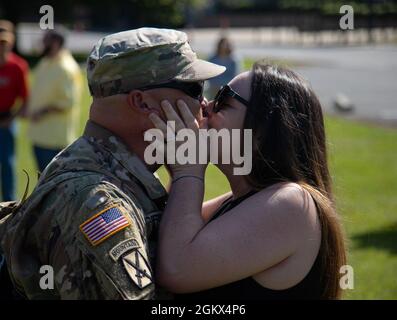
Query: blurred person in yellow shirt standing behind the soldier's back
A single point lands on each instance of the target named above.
(55, 96)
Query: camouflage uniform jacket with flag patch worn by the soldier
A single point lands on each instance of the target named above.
(91, 223)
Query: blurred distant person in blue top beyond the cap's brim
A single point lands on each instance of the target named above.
(224, 57)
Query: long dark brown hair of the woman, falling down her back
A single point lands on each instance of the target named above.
(289, 145)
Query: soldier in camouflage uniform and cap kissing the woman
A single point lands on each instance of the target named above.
(92, 219)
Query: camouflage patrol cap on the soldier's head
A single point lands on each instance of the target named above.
(133, 59)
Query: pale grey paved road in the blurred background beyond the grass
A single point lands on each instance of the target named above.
(366, 74)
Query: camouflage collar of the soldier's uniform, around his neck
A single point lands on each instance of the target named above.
(130, 161)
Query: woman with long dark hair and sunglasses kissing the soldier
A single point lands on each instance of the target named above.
(277, 234)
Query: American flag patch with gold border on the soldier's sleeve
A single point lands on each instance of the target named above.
(104, 224)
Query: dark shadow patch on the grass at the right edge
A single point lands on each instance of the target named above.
(384, 239)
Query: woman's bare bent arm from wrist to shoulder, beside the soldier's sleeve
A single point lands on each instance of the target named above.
(259, 233)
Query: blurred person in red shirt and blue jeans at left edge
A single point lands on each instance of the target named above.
(13, 85)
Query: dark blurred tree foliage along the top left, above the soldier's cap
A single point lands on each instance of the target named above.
(105, 15)
